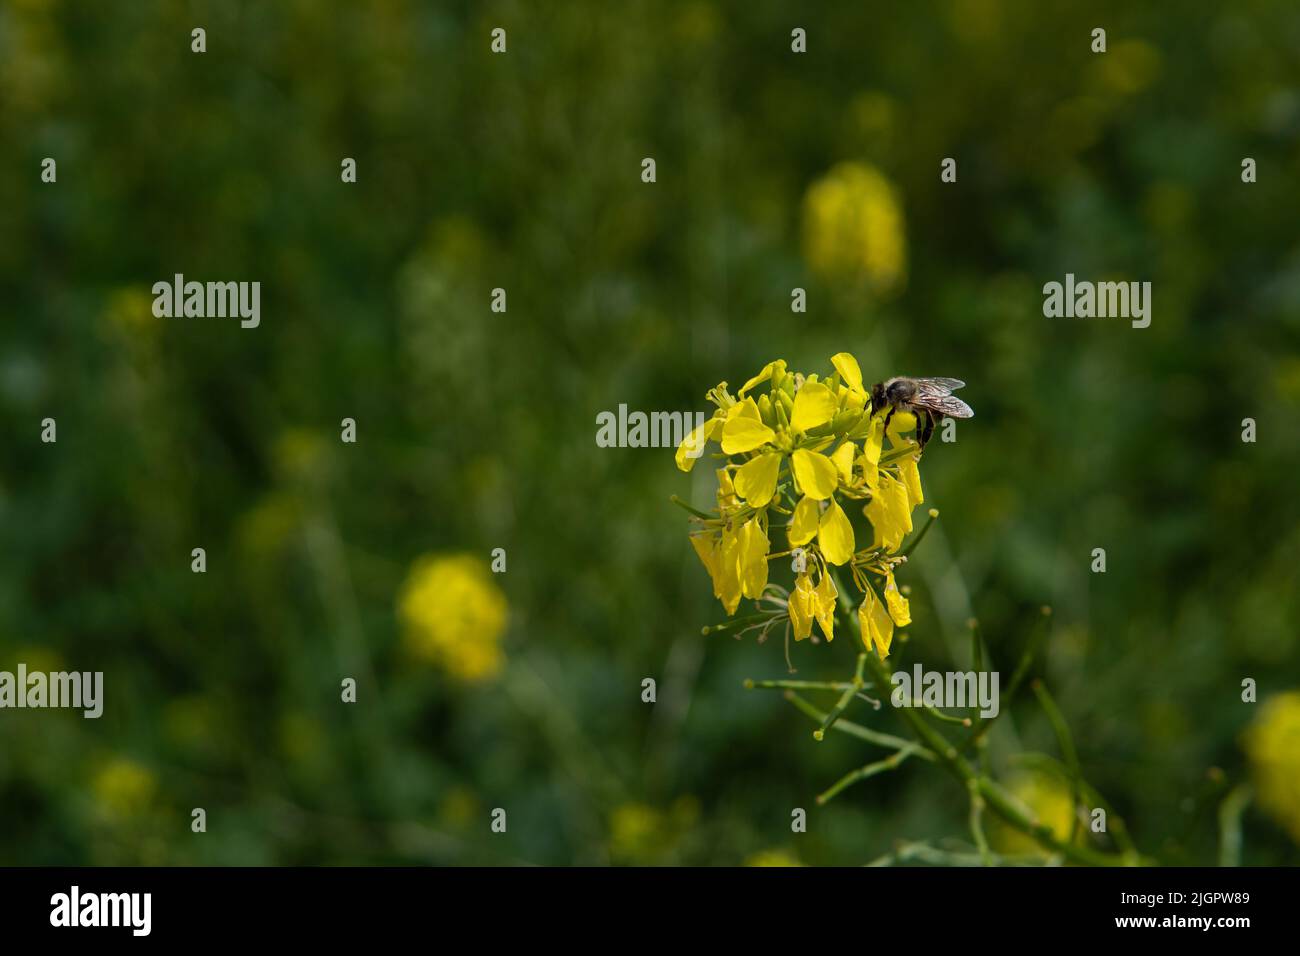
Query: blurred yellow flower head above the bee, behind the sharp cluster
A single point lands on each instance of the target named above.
(853, 228)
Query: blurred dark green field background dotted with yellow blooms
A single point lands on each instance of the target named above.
(476, 430)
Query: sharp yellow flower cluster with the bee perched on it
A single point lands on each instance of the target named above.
(795, 458)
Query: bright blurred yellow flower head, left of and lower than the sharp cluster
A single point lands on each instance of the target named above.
(454, 616)
